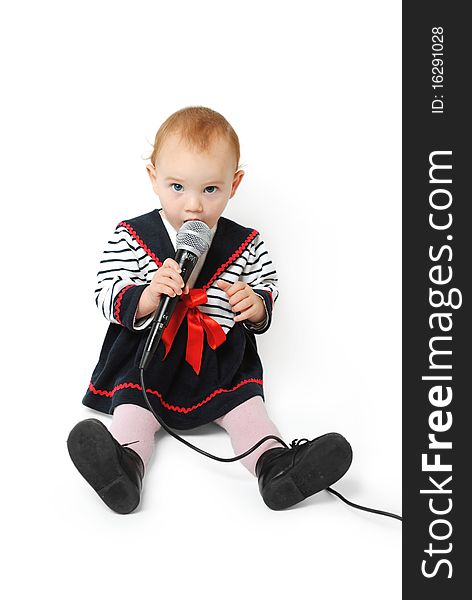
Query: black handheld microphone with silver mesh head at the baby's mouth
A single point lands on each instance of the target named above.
(193, 239)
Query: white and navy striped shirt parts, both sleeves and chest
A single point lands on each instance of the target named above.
(124, 262)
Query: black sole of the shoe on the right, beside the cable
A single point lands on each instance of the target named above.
(325, 461)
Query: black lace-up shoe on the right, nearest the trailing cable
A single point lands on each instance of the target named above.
(289, 475)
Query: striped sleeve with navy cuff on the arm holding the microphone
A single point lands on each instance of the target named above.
(121, 280)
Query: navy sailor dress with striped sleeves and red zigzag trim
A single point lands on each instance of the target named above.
(229, 375)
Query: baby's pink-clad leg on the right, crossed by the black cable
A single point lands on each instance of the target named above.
(246, 425)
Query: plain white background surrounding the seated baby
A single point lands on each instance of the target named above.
(313, 91)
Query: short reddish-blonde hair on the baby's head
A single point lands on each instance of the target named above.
(198, 127)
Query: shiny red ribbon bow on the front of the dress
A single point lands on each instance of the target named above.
(198, 322)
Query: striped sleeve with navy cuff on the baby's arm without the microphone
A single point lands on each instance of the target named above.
(261, 275)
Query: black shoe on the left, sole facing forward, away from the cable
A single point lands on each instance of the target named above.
(114, 471)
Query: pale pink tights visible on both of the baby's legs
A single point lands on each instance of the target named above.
(246, 424)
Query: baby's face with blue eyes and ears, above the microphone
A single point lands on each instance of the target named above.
(194, 185)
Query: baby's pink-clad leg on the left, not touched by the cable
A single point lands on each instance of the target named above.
(135, 427)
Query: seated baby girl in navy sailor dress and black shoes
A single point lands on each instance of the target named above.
(207, 367)
